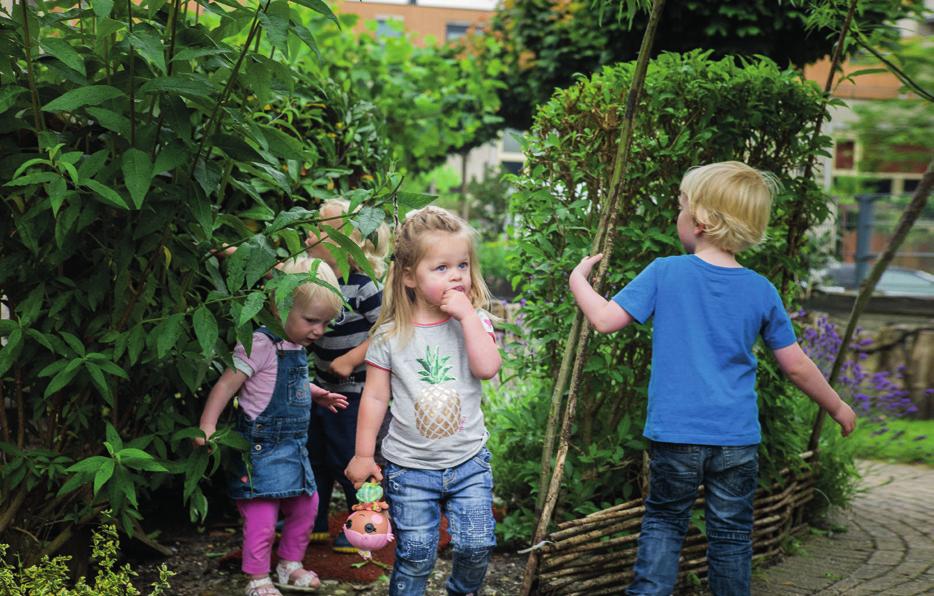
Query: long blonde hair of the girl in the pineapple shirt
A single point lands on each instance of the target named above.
(410, 247)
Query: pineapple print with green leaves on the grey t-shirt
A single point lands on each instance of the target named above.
(437, 408)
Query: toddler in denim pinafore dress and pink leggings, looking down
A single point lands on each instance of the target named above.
(274, 402)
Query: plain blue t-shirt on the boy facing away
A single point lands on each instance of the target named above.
(707, 318)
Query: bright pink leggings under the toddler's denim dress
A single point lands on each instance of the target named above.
(259, 530)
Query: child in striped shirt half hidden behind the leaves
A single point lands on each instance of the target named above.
(338, 363)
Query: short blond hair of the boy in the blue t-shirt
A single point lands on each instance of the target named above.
(732, 201)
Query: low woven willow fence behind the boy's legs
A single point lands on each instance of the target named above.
(594, 555)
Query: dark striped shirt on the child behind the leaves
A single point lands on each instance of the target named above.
(348, 330)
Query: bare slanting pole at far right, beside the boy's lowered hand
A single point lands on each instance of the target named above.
(918, 201)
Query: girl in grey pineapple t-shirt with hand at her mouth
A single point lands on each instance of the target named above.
(431, 347)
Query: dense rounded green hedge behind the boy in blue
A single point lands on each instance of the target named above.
(694, 110)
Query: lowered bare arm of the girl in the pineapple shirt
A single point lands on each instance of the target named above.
(373, 404)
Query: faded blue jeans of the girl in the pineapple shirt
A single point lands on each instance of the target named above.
(415, 500)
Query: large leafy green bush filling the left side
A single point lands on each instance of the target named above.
(132, 146)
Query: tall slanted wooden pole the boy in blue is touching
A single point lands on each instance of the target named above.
(605, 232)
